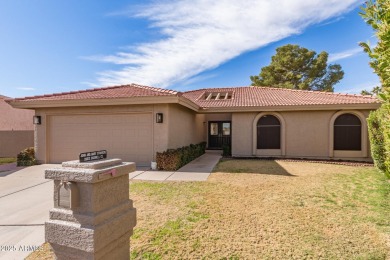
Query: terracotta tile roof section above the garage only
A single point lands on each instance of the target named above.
(123, 91)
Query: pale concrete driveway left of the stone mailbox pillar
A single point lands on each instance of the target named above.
(25, 200)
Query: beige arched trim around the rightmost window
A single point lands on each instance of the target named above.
(364, 136)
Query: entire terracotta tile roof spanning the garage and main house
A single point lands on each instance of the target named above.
(240, 96)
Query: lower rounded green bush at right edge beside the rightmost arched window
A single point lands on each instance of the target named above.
(379, 131)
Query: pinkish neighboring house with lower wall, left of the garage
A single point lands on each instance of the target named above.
(16, 129)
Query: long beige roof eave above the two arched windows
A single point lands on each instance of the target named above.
(364, 106)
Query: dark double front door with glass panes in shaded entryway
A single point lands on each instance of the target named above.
(219, 134)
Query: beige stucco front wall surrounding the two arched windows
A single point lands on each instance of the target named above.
(306, 134)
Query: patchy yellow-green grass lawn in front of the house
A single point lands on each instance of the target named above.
(252, 209)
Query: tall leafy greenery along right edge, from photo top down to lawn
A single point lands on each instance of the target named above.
(377, 14)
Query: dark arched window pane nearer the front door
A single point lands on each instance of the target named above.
(268, 132)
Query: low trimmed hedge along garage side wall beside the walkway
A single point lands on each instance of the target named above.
(173, 159)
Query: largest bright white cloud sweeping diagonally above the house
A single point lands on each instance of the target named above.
(202, 34)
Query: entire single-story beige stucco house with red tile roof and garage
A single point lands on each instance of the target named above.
(255, 121)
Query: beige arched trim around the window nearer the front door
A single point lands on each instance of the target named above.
(269, 152)
